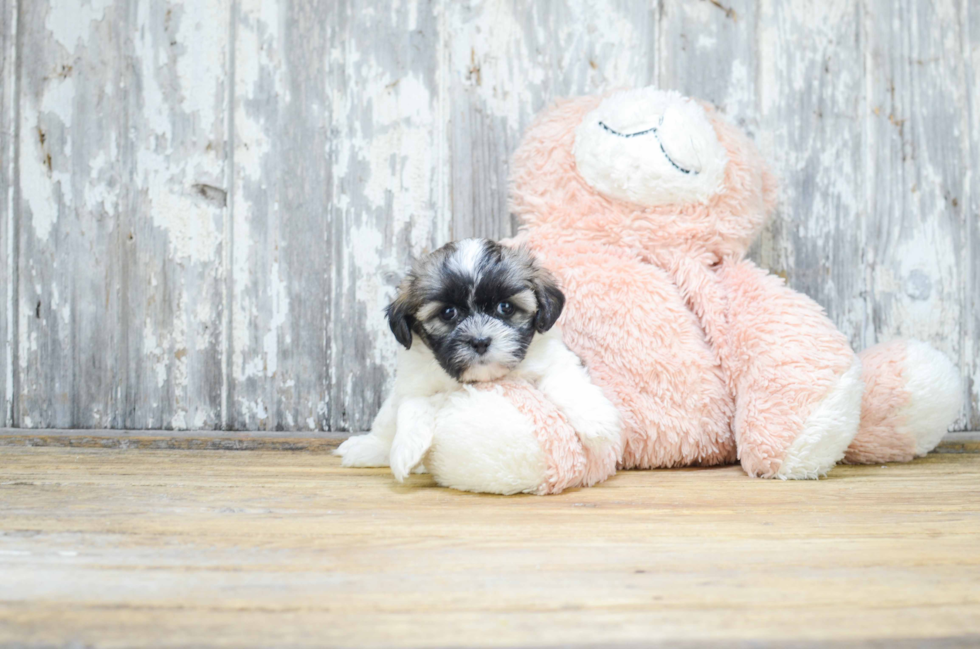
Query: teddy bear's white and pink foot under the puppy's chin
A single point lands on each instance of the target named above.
(504, 438)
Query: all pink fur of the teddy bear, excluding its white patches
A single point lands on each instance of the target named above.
(708, 358)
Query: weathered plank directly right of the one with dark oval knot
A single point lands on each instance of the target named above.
(281, 257)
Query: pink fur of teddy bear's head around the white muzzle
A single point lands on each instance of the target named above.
(554, 201)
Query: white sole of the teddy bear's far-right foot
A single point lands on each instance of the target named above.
(935, 395)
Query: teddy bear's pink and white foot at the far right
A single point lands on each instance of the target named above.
(912, 394)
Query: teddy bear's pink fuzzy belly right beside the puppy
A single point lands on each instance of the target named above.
(628, 322)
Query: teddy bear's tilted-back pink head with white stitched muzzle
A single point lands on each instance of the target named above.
(642, 168)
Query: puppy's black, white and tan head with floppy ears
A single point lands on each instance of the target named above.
(476, 304)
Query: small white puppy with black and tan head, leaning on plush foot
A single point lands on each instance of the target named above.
(475, 311)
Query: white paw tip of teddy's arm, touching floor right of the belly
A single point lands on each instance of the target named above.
(828, 430)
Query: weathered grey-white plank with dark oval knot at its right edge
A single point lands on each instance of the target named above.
(170, 235)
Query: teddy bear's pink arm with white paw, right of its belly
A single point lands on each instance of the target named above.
(797, 382)
